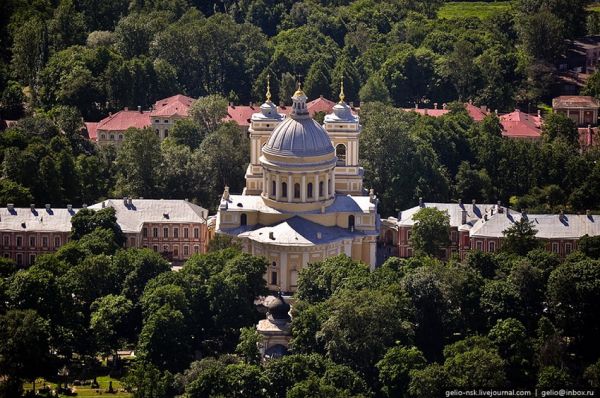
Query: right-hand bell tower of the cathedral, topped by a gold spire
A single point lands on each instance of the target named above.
(344, 130)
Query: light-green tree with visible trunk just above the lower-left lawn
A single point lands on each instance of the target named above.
(110, 322)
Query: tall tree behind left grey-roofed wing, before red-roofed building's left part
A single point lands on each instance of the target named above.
(138, 163)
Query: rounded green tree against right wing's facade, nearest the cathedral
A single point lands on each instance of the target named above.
(430, 231)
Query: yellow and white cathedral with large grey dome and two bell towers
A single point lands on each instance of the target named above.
(304, 199)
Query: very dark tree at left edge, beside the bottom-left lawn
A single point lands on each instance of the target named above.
(24, 349)
